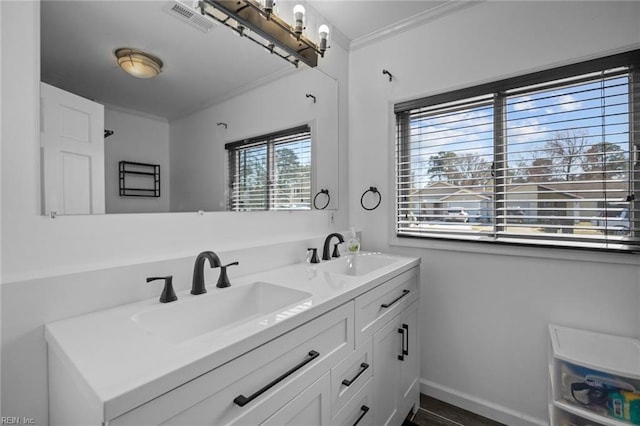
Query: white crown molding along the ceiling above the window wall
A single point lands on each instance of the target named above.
(428, 15)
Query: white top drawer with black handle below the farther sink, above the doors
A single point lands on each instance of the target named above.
(379, 305)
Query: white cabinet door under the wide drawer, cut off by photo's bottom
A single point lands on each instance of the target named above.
(312, 407)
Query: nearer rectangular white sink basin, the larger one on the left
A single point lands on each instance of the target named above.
(219, 310)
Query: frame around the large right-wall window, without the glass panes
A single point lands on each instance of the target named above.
(499, 89)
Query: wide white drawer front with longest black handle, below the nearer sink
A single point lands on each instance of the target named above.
(211, 398)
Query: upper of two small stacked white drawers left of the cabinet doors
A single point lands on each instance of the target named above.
(348, 377)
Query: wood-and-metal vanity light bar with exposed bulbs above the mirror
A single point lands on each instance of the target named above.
(258, 22)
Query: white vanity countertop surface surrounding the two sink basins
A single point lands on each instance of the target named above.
(121, 365)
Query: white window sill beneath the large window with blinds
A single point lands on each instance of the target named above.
(506, 249)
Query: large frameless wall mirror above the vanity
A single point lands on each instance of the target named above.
(98, 122)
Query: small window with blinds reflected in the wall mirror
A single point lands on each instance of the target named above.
(271, 172)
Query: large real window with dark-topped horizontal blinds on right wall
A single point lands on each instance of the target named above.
(542, 159)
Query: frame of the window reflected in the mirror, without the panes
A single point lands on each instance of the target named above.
(270, 141)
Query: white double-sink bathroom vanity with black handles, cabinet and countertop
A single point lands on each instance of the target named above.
(333, 343)
